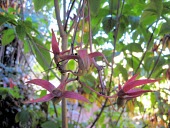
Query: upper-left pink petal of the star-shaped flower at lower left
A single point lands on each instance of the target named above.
(43, 83)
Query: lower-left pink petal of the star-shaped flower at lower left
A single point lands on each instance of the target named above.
(42, 99)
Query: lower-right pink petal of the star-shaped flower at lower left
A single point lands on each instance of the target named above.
(73, 95)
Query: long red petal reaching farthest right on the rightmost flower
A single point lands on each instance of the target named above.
(135, 83)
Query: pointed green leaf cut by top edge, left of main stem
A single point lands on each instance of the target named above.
(39, 4)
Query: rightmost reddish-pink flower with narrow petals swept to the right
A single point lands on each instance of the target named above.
(128, 91)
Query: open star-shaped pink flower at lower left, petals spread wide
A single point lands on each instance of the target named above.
(55, 93)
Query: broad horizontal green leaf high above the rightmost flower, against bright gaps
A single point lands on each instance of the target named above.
(134, 47)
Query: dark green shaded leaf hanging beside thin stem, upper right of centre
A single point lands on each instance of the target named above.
(108, 23)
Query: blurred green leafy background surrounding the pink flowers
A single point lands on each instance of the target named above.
(133, 35)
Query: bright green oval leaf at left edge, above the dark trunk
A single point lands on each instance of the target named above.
(8, 36)
